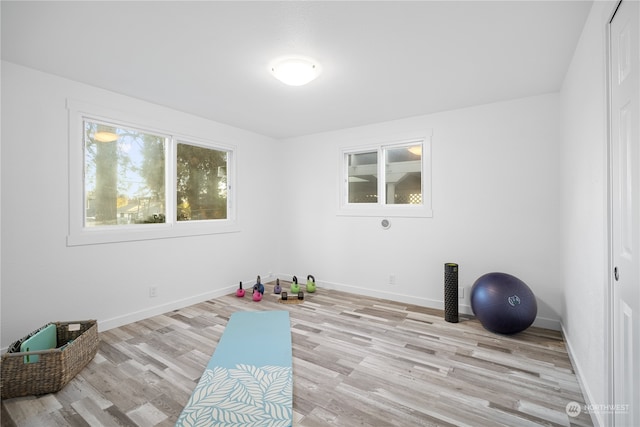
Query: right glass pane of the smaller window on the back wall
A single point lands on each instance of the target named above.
(403, 175)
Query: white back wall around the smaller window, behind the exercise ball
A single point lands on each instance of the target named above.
(495, 203)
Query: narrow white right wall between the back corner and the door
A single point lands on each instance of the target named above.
(584, 207)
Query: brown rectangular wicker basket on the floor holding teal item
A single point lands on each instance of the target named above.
(77, 344)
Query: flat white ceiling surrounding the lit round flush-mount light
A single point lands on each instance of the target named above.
(381, 60)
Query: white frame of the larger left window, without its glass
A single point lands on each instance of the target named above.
(171, 228)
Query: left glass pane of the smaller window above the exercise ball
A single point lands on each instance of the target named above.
(363, 177)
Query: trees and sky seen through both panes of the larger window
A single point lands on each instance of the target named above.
(125, 178)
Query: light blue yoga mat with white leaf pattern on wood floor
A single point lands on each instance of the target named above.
(249, 380)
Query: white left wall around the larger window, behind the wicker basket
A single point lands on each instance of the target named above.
(44, 280)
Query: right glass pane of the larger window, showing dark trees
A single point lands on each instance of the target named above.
(201, 183)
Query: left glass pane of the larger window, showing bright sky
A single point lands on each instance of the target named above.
(124, 172)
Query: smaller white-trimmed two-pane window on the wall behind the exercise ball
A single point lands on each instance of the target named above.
(387, 179)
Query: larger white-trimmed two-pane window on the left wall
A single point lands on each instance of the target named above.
(133, 182)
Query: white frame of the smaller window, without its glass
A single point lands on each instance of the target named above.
(381, 208)
